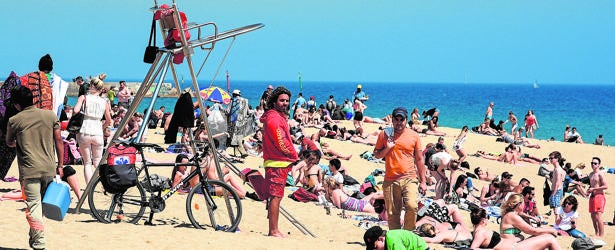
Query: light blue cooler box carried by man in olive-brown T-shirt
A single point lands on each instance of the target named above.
(56, 200)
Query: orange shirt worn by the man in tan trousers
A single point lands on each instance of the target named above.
(399, 162)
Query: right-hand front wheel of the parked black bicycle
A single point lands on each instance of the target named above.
(207, 207)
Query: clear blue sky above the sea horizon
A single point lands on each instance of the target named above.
(330, 40)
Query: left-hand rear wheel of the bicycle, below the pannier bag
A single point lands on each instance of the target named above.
(124, 207)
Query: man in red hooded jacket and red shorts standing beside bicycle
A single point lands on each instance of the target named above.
(278, 152)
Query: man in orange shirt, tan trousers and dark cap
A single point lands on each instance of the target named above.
(405, 171)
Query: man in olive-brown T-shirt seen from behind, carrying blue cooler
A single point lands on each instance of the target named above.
(36, 134)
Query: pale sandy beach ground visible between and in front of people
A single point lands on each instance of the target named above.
(173, 230)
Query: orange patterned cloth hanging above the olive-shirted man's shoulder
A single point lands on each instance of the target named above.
(42, 94)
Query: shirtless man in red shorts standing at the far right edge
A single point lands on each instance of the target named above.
(597, 201)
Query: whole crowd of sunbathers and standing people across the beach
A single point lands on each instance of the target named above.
(441, 183)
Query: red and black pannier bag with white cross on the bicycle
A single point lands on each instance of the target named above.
(121, 172)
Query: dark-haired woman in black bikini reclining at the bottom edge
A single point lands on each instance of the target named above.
(485, 238)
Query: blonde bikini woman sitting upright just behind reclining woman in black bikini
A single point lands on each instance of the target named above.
(513, 224)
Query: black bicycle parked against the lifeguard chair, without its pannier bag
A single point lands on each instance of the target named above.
(222, 203)
